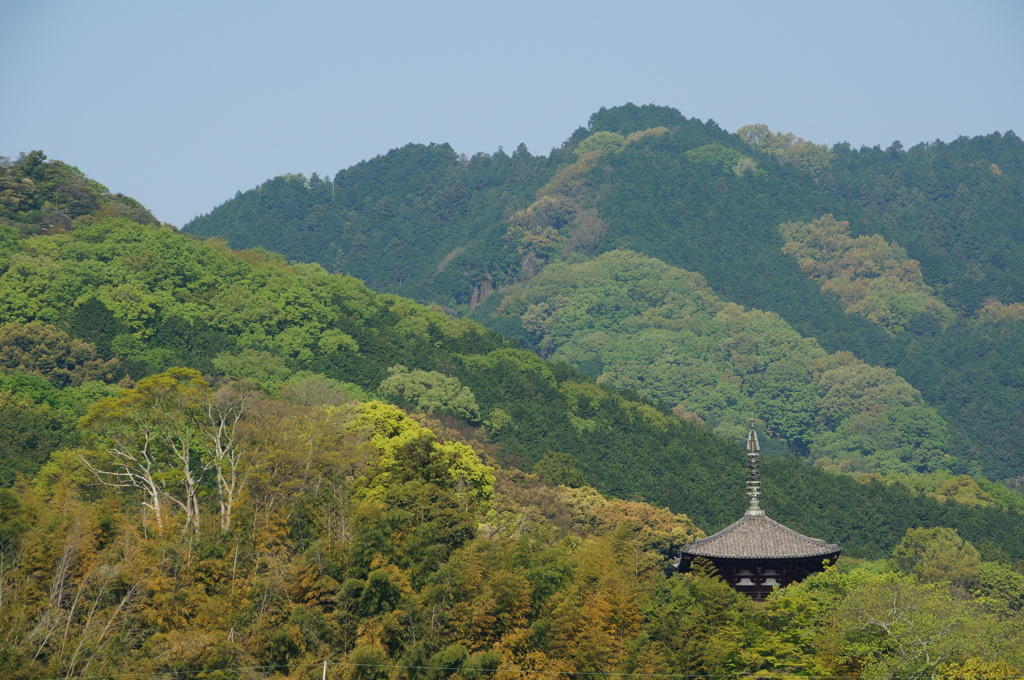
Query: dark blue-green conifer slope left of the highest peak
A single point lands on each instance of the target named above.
(420, 220)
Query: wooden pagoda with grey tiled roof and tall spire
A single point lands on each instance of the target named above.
(757, 555)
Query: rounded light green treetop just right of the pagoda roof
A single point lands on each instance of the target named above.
(936, 556)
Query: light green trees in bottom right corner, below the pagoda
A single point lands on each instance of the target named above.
(867, 625)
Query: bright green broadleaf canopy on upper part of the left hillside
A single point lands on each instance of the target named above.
(144, 278)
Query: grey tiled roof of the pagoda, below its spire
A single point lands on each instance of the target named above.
(759, 537)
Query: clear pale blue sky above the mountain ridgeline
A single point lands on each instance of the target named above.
(182, 104)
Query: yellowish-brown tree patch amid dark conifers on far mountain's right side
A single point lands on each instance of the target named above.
(872, 278)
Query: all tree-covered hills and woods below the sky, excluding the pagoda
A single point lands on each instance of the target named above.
(453, 417)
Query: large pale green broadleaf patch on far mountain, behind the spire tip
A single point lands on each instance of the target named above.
(636, 323)
